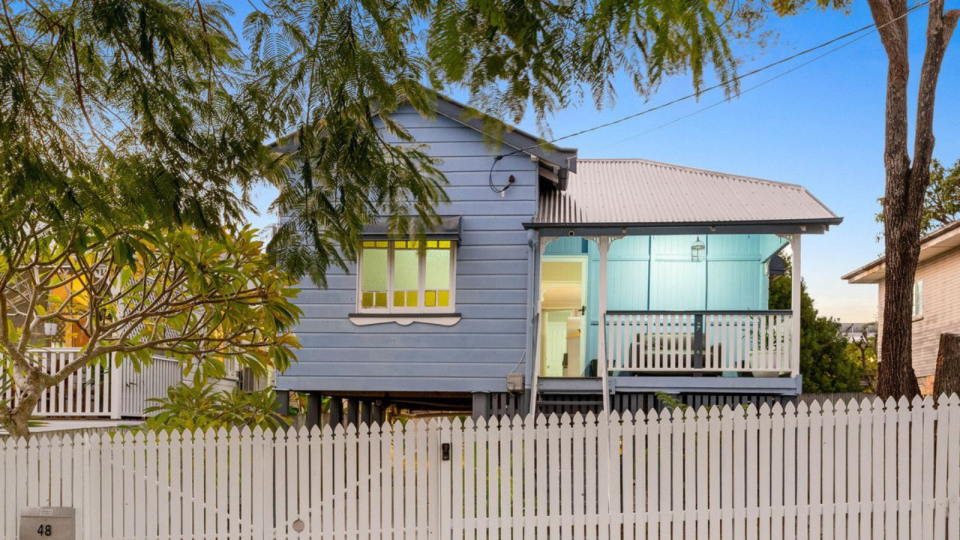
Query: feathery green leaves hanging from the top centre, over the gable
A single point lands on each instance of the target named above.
(334, 72)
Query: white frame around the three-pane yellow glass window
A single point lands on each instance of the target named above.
(421, 309)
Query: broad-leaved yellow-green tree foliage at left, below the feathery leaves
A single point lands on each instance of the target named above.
(140, 292)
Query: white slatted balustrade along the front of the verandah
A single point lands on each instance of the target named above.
(757, 342)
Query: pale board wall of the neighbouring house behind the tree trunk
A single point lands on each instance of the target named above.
(941, 309)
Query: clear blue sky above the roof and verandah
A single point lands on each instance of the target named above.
(820, 126)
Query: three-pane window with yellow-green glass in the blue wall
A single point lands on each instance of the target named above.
(406, 276)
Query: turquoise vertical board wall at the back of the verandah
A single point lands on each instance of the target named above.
(656, 273)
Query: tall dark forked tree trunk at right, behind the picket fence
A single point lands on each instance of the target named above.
(906, 182)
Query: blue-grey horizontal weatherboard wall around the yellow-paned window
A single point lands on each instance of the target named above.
(489, 341)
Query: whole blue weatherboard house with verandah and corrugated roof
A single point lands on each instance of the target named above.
(559, 283)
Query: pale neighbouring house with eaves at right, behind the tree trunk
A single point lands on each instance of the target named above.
(936, 297)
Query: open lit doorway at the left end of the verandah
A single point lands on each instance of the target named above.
(563, 311)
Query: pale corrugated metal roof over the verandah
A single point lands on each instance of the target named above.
(636, 191)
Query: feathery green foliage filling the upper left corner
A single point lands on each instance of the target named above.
(124, 111)
